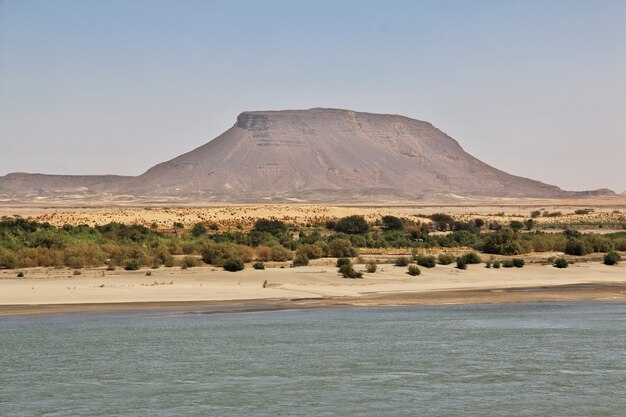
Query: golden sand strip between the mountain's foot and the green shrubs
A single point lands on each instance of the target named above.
(228, 217)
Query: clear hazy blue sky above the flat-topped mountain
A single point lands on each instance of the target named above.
(536, 88)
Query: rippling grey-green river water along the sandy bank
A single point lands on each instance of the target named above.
(557, 359)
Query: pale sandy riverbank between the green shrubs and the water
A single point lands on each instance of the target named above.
(312, 286)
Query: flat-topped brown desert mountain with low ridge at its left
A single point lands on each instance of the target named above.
(315, 155)
